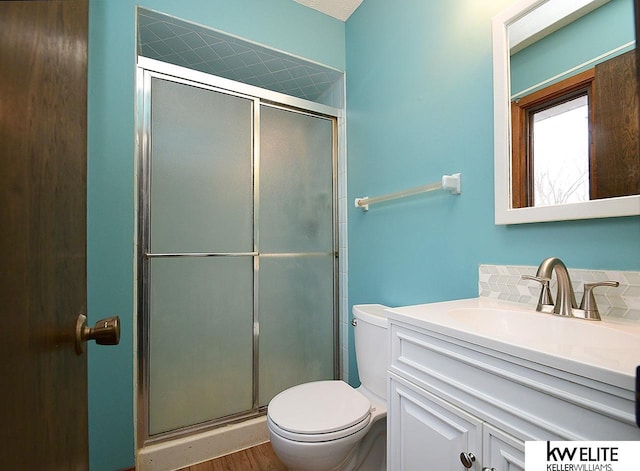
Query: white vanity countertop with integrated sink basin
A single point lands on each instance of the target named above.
(599, 349)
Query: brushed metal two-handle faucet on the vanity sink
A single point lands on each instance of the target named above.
(565, 304)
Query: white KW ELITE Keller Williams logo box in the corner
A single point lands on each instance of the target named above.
(581, 456)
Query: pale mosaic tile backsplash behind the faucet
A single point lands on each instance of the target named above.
(505, 283)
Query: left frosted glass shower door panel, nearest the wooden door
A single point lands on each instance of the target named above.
(200, 254)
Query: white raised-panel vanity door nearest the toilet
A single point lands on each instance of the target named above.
(426, 433)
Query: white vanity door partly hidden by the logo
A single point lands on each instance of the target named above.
(501, 451)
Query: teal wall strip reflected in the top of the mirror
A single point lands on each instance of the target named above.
(597, 33)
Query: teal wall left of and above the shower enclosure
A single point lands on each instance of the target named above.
(280, 24)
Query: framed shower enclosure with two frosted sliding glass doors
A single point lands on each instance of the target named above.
(238, 249)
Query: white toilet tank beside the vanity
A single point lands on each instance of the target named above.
(372, 350)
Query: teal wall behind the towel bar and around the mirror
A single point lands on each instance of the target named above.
(419, 103)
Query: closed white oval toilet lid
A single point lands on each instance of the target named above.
(318, 407)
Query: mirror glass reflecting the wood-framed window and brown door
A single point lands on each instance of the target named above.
(574, 111)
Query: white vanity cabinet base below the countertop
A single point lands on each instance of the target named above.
(450, 395)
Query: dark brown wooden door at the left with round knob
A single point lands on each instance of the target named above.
(43, 90)
